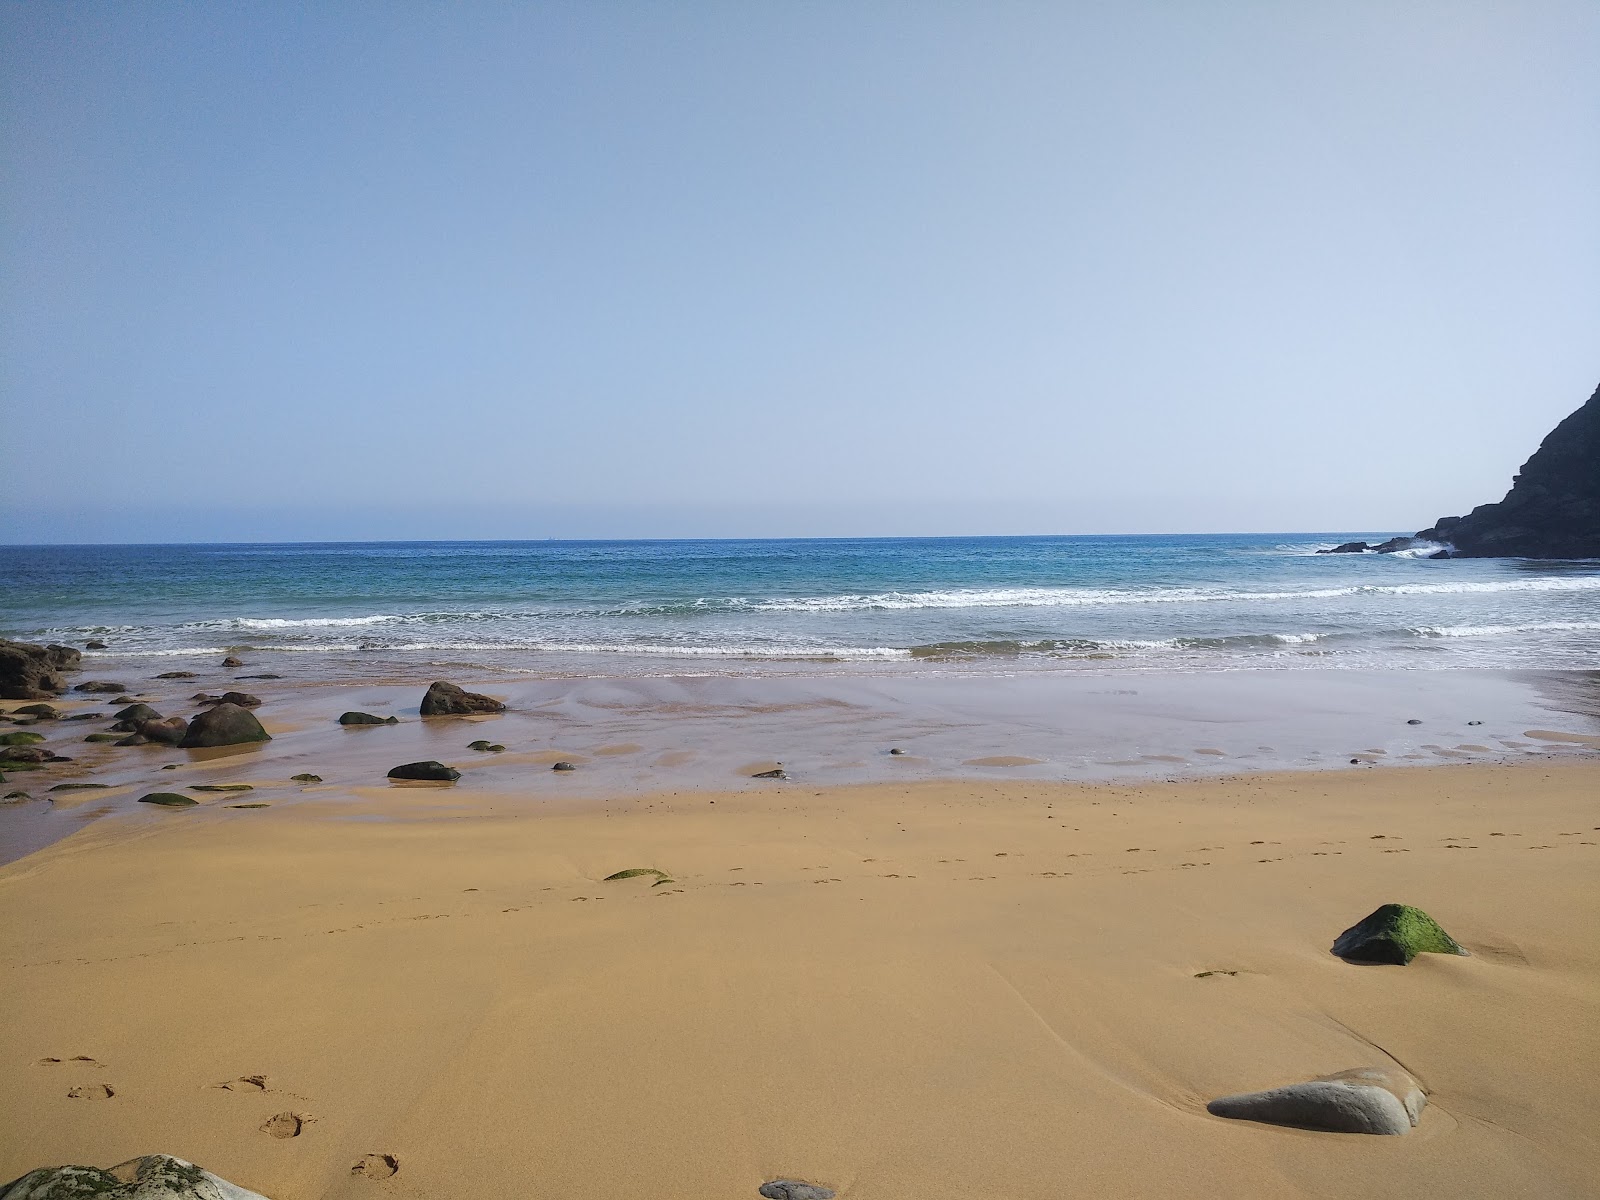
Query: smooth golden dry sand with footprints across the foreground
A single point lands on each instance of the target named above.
(956, 990)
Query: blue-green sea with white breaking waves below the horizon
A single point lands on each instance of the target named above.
(778, 607)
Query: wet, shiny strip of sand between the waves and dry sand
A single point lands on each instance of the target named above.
(639, 737)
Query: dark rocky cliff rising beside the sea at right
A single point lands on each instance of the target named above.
(1553, 510)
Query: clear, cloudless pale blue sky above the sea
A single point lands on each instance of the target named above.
(606, 270)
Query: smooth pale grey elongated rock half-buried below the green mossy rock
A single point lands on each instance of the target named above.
(1353, 1102)
